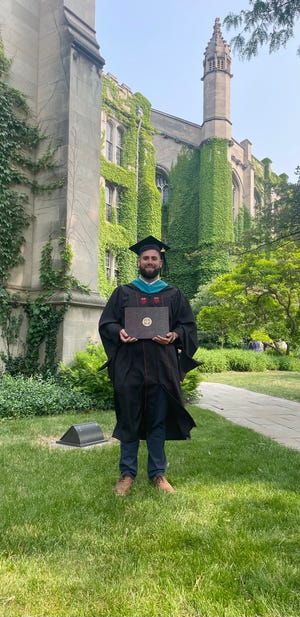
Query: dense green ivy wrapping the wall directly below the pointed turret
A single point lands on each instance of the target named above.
(198, 215)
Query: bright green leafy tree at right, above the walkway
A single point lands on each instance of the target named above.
(262, 292)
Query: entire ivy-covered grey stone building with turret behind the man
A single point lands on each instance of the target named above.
(58, 66)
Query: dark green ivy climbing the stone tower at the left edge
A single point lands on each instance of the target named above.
(19, 169)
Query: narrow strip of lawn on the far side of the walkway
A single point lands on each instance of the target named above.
(283, 384)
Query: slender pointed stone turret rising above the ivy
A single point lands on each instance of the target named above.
(216, 87)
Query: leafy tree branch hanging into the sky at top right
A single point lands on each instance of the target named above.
(267, 22)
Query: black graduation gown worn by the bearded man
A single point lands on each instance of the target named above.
(134, 368)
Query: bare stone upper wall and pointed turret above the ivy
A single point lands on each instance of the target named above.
(174, 132)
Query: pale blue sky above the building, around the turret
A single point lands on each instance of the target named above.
(157, 48)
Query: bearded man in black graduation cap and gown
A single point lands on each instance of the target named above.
(146, 372)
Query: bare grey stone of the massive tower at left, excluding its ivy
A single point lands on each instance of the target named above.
(57, 65)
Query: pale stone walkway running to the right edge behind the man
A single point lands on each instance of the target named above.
(271, 416)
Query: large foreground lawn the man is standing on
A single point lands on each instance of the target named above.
(225, 544)
